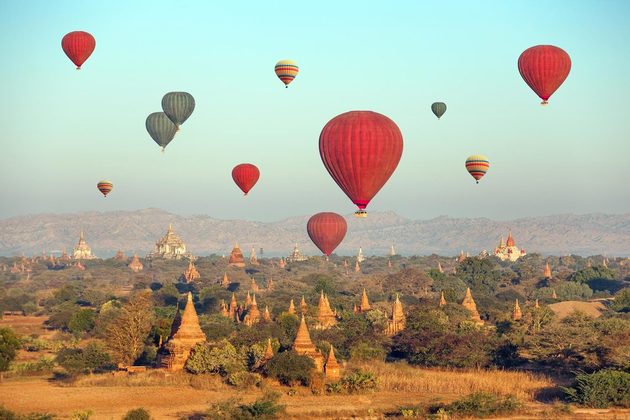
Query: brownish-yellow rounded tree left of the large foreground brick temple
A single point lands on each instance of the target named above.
(127, 333)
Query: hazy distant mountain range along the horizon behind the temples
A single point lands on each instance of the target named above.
(137, 231)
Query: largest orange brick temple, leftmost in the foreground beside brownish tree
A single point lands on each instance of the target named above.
(185, 334)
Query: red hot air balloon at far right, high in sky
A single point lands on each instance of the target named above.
(544, 68)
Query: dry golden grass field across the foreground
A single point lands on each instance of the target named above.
(181, 395)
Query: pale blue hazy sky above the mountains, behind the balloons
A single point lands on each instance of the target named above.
(64, 130)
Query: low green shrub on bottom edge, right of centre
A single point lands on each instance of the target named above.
(481, 404)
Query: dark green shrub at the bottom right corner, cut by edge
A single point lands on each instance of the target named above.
(601, 389)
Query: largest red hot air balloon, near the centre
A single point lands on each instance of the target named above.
(360, 150)
